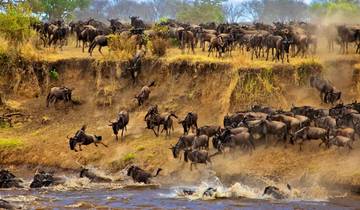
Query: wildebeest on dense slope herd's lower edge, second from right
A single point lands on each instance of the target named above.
(310, 133)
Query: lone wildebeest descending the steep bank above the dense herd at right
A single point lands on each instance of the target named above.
(325, 88)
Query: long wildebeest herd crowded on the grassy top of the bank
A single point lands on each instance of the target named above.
(258, 38)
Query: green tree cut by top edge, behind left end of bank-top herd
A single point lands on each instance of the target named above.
(57, 9)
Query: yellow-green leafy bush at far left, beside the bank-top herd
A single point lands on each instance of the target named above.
(15, 23)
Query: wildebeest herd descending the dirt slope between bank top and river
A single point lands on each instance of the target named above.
(339, 125)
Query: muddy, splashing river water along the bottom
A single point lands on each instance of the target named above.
(78, 193)
